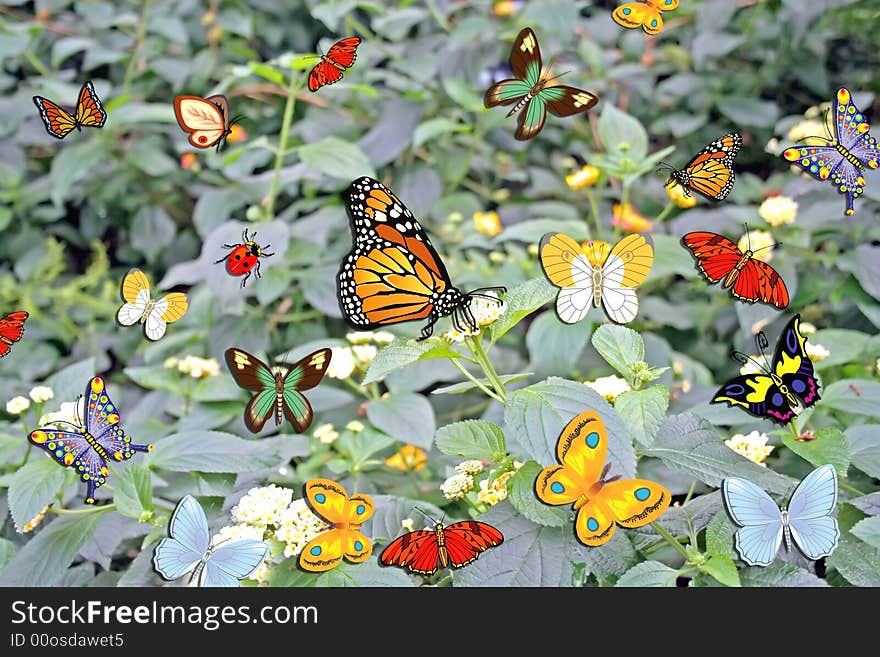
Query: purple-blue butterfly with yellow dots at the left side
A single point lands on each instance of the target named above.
(92, 445)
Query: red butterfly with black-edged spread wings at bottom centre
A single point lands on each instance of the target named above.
(426, 550)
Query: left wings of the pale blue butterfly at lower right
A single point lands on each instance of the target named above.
(760, 536)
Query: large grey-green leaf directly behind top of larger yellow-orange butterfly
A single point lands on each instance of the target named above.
(535, 417)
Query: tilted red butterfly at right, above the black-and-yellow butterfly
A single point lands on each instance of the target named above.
(752, 280)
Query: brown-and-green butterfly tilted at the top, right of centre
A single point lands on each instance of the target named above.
(534, 90)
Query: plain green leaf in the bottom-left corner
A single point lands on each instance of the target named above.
(43, 560)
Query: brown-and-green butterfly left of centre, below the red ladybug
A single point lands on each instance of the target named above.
(279, 388)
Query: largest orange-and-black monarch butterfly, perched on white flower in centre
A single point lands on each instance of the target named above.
(393, 274)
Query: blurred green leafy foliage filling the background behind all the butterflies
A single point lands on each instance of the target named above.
(76, 215)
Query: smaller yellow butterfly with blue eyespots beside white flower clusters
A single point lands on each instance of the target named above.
(343, 538)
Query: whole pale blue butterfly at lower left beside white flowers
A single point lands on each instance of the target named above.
(189, 548)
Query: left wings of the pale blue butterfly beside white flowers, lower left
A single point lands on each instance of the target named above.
(188, 542)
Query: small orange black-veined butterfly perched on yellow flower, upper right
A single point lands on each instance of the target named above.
(710, 173)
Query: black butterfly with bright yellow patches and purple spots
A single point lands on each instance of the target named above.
(777, 392)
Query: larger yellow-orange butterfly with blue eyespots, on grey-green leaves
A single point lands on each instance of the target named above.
(601, 501)
